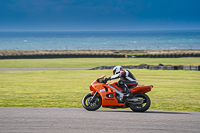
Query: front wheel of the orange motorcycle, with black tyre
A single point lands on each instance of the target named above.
(91, 105)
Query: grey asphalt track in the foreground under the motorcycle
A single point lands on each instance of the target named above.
(78, 120)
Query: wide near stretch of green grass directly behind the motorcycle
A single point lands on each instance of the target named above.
(173, 90)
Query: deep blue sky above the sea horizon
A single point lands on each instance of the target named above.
(99, 15)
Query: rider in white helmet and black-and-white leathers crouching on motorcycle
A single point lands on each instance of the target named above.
(127, 80)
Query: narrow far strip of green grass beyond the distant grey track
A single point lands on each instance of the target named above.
(93, 62)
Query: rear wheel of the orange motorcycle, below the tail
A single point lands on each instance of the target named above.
(141, 107)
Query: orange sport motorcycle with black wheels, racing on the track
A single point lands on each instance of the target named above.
(112, 96)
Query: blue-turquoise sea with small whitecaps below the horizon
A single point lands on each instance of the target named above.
(99, 40)
